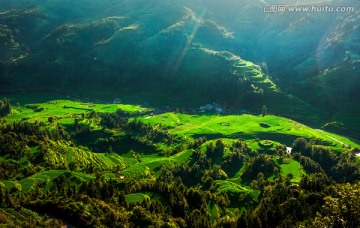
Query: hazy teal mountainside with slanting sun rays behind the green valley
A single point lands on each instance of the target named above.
(185, 49)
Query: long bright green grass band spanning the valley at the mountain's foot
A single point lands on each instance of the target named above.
(39, 107)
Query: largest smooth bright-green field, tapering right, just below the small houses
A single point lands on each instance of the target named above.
(243, 127)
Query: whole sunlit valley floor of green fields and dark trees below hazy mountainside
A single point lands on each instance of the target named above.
(87, 155)
